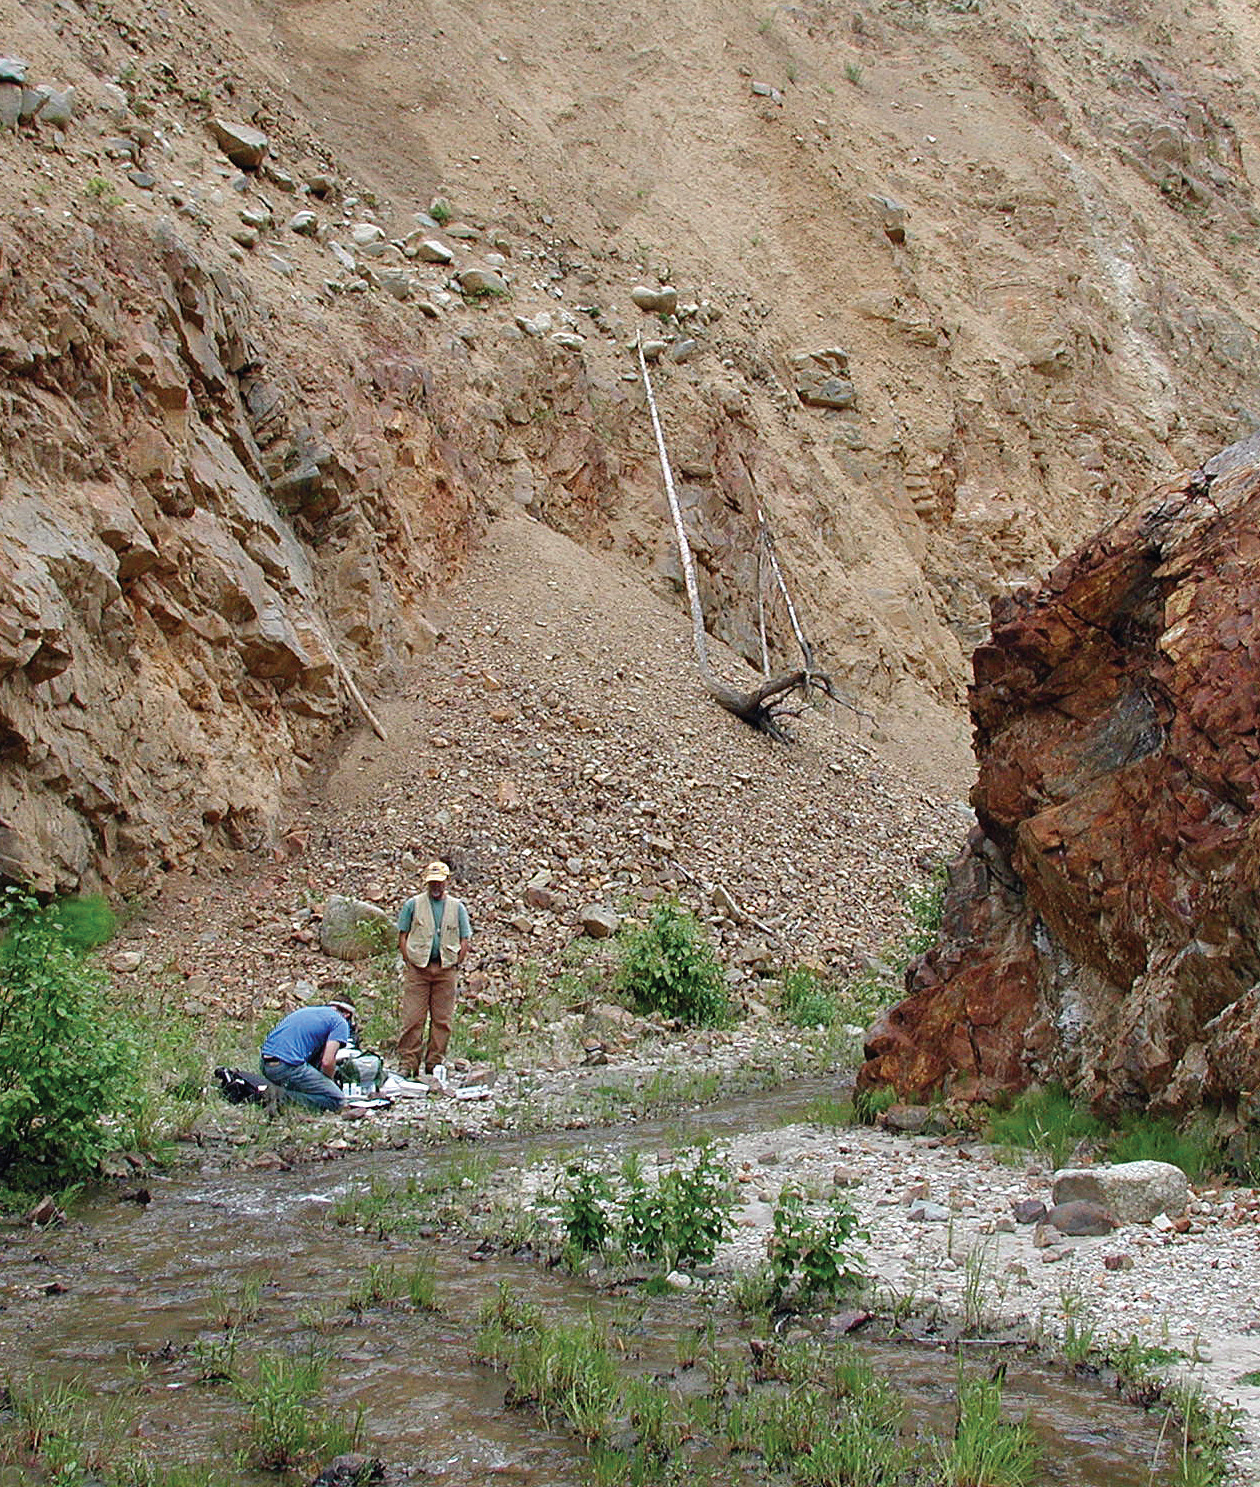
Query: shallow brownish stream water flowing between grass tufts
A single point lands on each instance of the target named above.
(144, 1284)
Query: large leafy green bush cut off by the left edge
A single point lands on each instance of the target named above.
(65, 1061)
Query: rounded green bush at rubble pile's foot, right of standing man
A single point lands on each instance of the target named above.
(669, 967)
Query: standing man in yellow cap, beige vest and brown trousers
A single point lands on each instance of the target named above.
(434, 942)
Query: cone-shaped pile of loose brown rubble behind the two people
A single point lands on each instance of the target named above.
(557, 750)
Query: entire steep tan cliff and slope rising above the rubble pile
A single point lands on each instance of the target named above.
(288, 317)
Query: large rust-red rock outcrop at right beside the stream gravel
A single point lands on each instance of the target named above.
(1103, 926)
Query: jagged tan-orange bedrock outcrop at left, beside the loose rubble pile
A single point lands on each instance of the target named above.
(194, 548)
